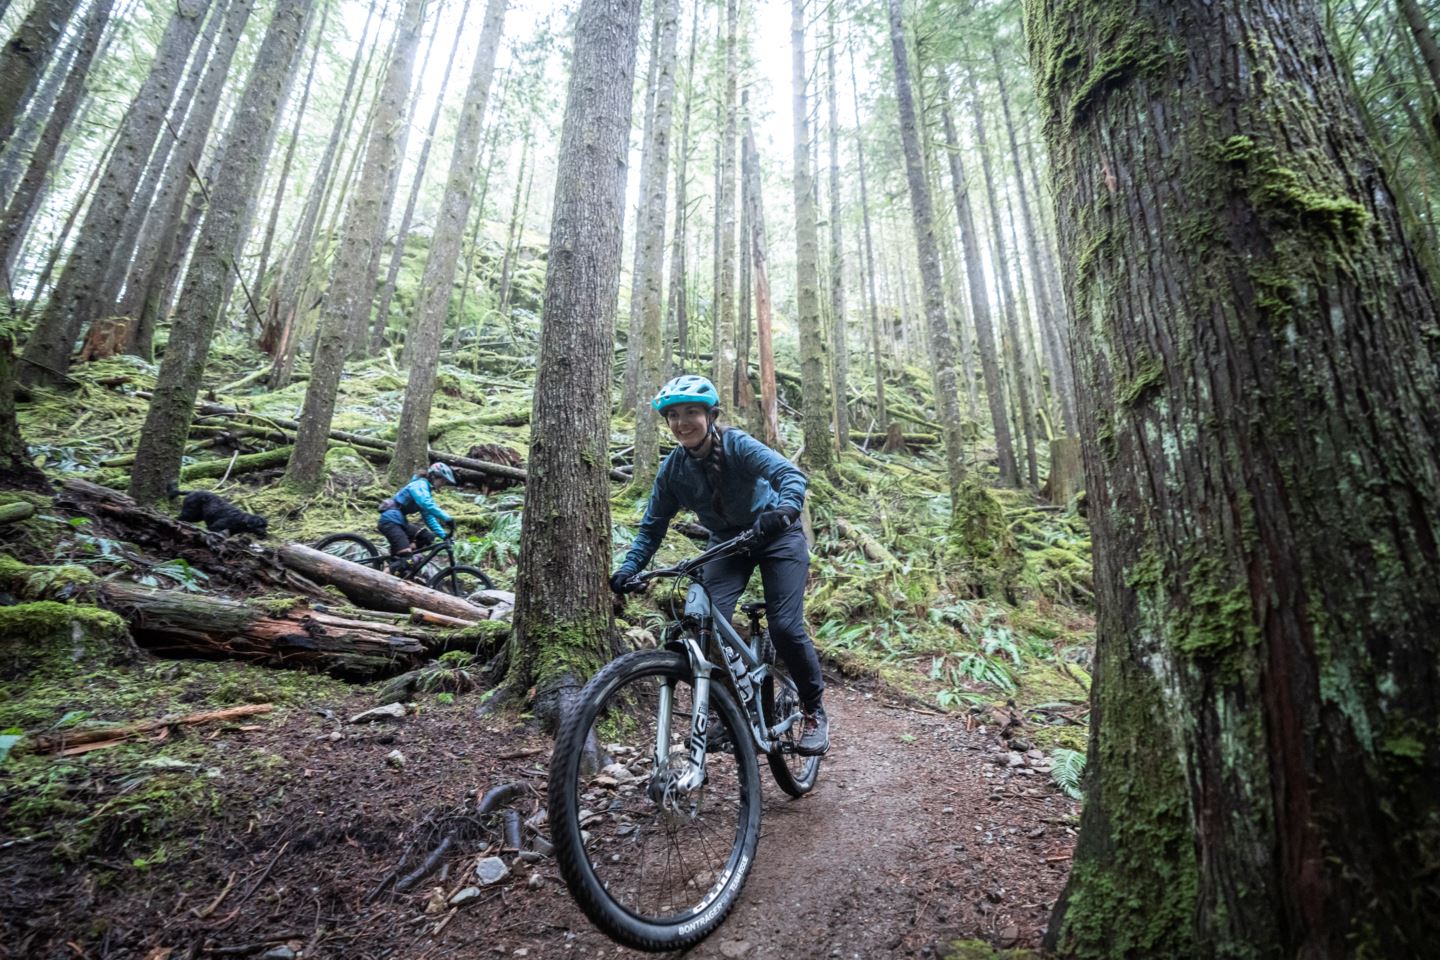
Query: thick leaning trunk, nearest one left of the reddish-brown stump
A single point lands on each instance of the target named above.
(71, 306)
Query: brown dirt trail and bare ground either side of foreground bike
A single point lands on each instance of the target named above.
(918, 834)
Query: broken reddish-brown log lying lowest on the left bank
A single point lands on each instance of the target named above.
(199, 625)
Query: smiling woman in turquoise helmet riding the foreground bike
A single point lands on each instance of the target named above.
(734, 483)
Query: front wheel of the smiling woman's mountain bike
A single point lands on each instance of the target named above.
(652, 864)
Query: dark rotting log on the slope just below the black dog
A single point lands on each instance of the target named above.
(227, 562)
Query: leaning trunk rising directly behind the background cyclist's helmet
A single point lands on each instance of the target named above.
(438, 281)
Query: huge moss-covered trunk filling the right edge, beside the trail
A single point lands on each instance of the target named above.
(1259, 361)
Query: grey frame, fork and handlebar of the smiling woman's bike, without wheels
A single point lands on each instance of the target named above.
(742, 664)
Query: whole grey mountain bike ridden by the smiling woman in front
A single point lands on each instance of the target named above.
(654, 795)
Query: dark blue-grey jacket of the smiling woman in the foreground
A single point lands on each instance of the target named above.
(757, 479)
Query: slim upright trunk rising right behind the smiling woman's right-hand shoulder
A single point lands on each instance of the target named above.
(820, 450)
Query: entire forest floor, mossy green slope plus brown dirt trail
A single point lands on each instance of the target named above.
(928, 834)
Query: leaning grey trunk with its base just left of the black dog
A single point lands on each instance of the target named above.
(168, 424)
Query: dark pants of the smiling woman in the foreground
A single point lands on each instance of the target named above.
(784, 566)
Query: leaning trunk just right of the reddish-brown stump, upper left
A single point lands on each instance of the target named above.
(161, 240)
